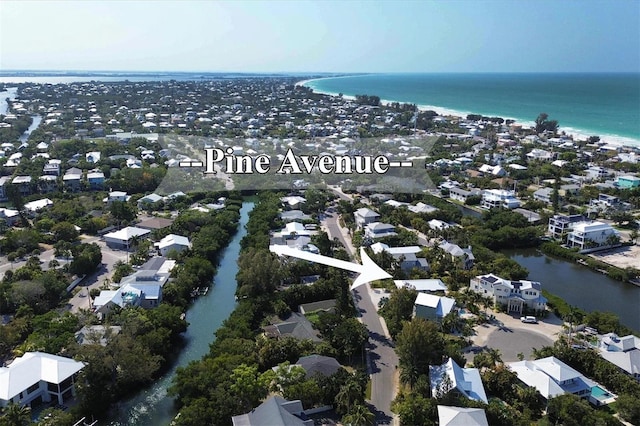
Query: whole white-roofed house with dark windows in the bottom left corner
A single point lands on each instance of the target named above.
(37, 377)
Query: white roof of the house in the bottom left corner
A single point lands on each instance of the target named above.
(32, 368)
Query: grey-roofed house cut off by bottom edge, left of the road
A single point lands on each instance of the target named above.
(274, 411)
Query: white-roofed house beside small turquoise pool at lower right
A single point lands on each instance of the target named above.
(551, 377)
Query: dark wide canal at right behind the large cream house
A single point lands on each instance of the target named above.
(582, 287)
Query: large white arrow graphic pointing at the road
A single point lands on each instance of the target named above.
(368, 271)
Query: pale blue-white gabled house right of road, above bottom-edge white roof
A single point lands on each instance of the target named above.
(464, 381)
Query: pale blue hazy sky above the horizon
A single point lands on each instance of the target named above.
(321, 36)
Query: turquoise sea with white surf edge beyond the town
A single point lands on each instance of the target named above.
(607, 105)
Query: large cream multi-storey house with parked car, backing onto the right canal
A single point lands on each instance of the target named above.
(513, 295)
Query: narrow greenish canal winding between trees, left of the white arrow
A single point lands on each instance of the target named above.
(152, 406)
